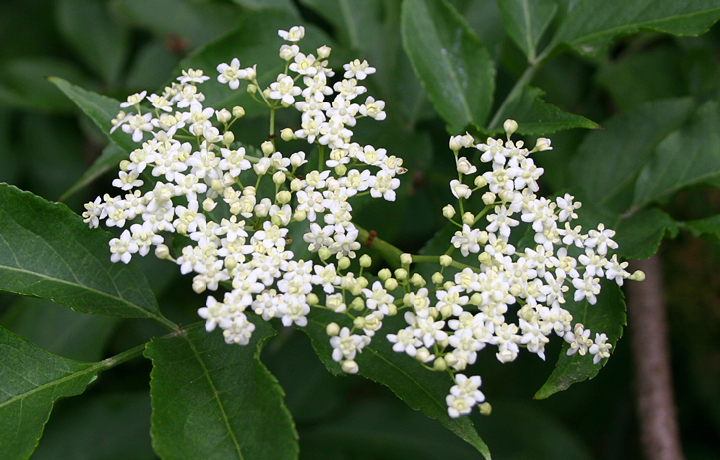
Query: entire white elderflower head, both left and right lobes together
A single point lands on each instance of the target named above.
(232, 211)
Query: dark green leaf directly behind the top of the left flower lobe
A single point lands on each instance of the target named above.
(251, 43)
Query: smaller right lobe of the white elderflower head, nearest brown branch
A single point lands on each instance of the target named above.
(472, 309)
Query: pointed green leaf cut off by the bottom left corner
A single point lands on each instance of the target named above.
(31, 381)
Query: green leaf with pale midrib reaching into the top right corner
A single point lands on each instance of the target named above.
(591, 25)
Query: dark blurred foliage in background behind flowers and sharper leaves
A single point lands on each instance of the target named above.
(118, 47)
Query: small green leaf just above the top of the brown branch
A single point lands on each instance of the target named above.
(639, 235)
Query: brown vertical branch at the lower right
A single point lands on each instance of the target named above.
(653, 379)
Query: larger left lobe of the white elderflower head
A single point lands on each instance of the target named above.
(233, 207)
